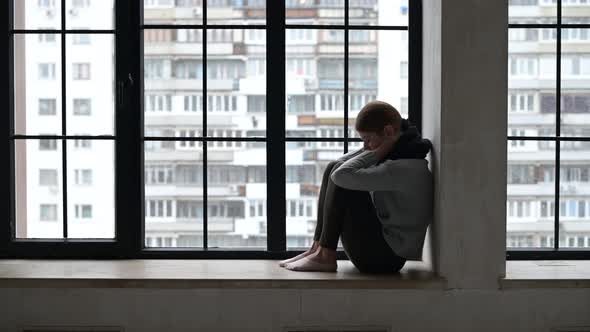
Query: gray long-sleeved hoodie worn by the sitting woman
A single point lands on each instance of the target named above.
(402, 193)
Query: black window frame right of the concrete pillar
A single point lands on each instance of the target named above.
(555, 253)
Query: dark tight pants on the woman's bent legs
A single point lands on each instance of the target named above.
(350, 215)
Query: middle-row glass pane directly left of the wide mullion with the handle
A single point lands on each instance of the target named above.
(90, 76)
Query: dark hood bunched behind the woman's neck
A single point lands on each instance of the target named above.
(410, 144)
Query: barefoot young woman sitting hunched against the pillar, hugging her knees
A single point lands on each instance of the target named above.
(378, 200)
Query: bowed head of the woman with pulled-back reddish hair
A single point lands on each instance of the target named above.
(376, 120)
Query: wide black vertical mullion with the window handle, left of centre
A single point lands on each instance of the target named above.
(129, 186)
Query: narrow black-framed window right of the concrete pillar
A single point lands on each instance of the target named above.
(547, 207)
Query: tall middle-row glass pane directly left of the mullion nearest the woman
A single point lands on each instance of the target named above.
(236, 82)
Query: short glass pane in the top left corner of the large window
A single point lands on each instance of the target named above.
(37, 14)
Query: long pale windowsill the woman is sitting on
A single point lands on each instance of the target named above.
(202, 274)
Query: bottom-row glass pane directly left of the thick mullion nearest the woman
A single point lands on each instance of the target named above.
(236, 179)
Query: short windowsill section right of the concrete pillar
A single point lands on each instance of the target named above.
(546, 274)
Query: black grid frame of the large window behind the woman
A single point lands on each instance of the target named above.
(129, 139)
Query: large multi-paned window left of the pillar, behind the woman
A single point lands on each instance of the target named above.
(200, 141)
